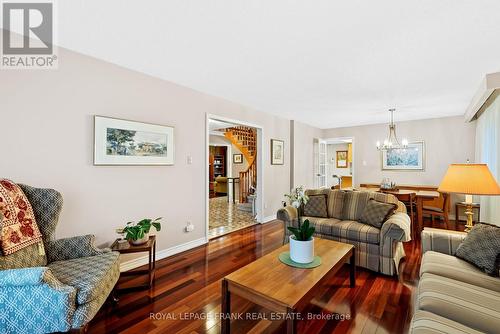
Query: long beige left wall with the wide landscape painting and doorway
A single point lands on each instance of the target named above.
(47, 136)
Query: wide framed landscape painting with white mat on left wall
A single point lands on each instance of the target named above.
(122, 142)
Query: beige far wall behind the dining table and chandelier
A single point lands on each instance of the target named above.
(447, 140)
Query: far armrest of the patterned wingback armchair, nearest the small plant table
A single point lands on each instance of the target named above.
(73, 248)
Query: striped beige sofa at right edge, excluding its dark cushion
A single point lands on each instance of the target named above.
(453, 296)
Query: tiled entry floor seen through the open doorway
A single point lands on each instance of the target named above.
(225, 217)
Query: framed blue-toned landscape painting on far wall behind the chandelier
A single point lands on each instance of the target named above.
(410, 158)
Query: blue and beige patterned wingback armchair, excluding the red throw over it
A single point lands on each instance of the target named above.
(58, 286)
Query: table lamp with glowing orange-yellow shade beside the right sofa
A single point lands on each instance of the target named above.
(469, 179)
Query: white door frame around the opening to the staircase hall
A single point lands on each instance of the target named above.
(260, 165)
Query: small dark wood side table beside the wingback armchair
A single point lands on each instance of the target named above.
(127, 248)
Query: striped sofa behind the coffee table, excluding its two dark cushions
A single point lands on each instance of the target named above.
(376, 249)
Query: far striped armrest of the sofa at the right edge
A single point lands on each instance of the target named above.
(442, 241)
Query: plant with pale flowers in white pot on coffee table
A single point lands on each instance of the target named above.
(302, 241)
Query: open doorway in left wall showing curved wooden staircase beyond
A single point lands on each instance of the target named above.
(234, 182)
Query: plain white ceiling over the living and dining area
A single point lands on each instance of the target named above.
(327, 63)
